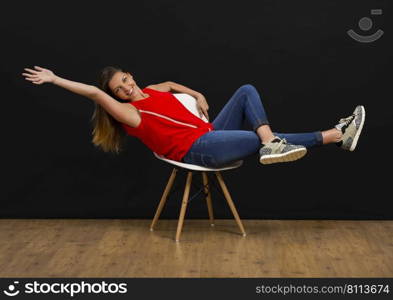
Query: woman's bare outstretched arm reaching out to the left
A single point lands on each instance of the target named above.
(122, 112)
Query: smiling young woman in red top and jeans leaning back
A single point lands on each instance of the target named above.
(164, 125)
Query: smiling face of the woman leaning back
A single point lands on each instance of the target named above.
(123, 86)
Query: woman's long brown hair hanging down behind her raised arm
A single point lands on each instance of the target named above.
(107, 132)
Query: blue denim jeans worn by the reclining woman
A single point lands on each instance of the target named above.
(228, 142)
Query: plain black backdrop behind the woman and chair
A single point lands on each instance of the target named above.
(297, 54)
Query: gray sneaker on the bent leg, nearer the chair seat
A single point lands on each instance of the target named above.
(278, 150)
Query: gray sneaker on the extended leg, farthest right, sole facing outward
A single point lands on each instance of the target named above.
(351, 127)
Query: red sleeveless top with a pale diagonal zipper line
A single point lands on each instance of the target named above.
(167, 127)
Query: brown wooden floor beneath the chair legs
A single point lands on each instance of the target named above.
(126, 248)
